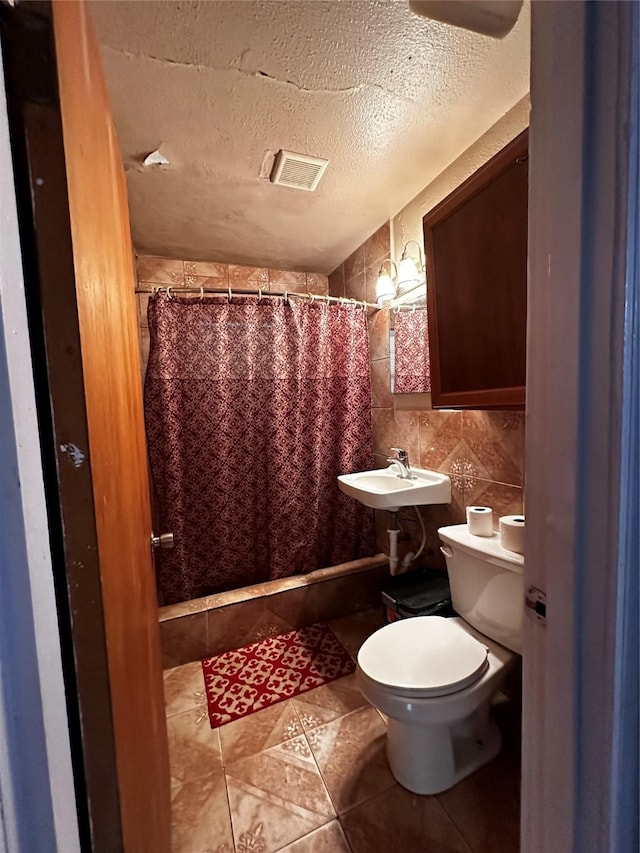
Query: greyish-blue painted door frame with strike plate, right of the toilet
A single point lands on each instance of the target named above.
(577, 247)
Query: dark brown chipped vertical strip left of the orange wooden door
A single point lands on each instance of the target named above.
(50, 295)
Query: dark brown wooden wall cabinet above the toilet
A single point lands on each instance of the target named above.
(476, 260)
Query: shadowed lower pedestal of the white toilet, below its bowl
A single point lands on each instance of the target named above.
(431, 759)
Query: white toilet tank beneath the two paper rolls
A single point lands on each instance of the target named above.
(487, 584)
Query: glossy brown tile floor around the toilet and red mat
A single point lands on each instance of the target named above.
(309, 775)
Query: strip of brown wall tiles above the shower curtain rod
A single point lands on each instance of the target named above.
(153, 271)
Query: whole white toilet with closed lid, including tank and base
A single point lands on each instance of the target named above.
(434, 678)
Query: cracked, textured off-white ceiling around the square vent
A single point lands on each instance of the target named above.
(388, 97)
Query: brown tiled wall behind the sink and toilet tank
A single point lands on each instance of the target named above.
(482, 451)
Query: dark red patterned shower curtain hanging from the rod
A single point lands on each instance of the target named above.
(253, 407)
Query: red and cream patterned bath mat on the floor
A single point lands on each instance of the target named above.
(243, 681)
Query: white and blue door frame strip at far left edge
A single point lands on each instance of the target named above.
(37, 797)
